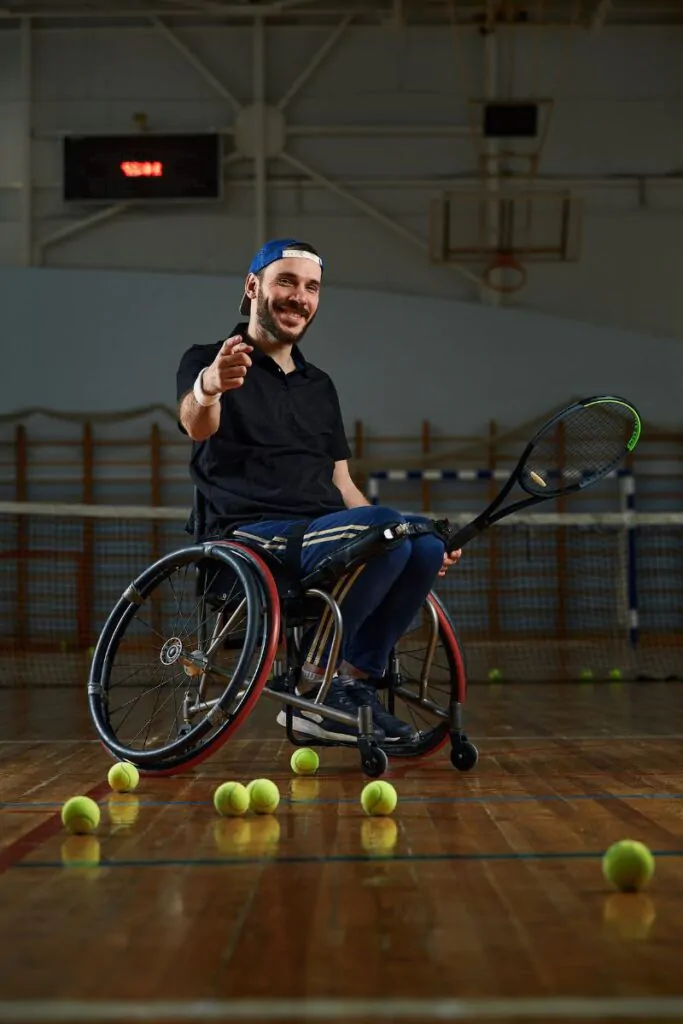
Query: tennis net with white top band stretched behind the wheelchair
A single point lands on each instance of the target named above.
(539, 598)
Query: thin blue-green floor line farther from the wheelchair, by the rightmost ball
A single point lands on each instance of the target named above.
(341, 859)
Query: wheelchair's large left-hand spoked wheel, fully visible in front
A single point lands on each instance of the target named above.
(184, 657)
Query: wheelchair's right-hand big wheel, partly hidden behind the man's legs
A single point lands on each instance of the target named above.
(426, 677)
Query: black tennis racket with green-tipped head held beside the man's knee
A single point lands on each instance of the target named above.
(597, 434)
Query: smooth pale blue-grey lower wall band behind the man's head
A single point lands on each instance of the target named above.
(101, 342)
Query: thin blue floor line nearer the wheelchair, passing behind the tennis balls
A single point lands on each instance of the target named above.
(492, 799)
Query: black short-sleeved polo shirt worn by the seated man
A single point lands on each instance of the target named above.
(280, 436)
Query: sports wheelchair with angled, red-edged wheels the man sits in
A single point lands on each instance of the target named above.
(202, 634)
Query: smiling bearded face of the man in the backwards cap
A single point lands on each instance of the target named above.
(287, 298)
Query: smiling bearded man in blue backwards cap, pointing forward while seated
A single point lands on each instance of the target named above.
(270, 454)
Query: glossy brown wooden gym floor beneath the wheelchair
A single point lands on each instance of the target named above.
(481, 900)
